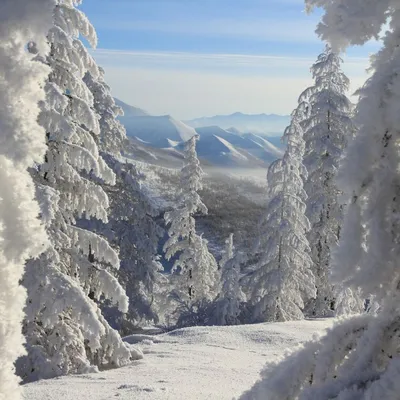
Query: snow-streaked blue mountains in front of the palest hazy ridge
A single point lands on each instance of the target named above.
(159, 140)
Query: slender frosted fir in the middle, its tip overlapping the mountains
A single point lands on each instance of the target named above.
(195, 266)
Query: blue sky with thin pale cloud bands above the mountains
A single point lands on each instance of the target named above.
(191, 58)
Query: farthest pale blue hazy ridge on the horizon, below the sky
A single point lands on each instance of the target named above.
(264, 124)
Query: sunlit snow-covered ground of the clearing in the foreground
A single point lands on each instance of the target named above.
(194, 363)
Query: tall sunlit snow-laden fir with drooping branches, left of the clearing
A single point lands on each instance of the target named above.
(65, 330)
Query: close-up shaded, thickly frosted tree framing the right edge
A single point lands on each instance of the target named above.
(359, 357)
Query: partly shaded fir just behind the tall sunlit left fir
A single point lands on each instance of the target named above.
(131, 227)
